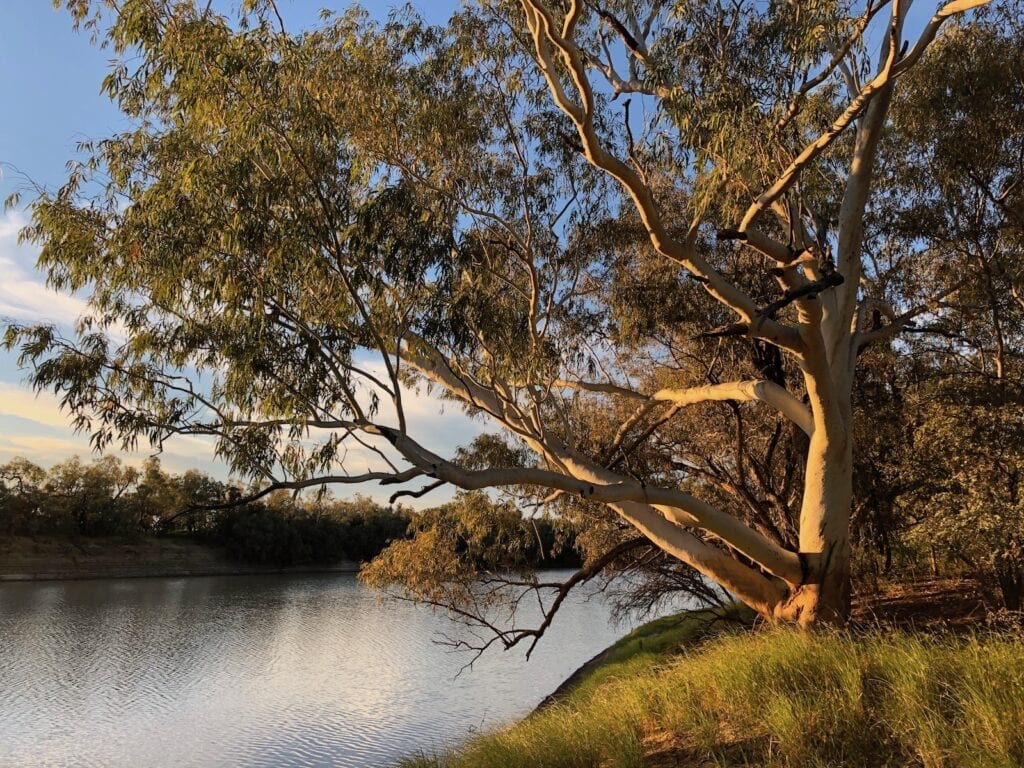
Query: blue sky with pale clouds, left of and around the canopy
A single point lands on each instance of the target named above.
(50, 89)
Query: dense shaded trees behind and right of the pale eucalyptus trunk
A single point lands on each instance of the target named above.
(940, 428)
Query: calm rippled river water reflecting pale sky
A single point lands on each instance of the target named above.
(253, 671)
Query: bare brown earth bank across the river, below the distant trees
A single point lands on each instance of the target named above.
(24, 560)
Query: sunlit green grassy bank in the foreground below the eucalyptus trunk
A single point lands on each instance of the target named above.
(777, 699)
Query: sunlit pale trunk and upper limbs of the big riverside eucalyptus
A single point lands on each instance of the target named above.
(825, 340)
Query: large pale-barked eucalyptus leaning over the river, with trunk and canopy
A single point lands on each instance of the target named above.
(602, 228)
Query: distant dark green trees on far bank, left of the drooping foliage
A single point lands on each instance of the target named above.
(105, 498)
